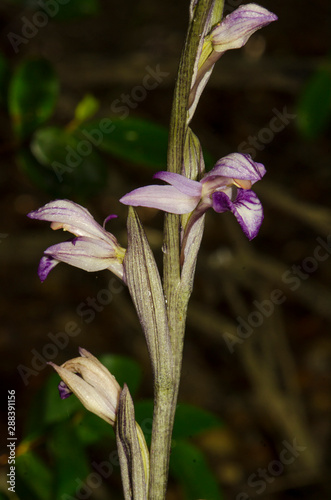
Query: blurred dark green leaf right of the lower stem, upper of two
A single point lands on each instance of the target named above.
(191, 420)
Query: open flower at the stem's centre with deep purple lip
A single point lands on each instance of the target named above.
(225, 187)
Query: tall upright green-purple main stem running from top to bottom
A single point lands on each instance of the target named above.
(166, 392)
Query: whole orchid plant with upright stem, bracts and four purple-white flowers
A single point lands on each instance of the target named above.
(161, 305)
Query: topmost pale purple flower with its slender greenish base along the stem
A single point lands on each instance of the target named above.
(231, 33)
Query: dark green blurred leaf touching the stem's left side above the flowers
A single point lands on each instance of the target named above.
(134, 140)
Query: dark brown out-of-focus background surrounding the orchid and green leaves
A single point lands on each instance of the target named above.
(274, 386)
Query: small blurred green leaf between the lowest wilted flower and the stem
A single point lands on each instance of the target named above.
(124, 369)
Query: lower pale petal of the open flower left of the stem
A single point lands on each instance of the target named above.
(83, 252)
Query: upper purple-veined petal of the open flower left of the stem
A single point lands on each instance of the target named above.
(73, 217)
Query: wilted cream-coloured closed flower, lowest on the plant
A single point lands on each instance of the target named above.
(95, 387)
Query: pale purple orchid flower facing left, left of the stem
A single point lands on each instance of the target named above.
(93, 249)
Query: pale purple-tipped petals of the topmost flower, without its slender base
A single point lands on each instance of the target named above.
(234, 31)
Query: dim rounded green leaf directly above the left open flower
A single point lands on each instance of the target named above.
(72, 167)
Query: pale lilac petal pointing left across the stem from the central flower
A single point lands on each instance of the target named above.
(166, 198)
